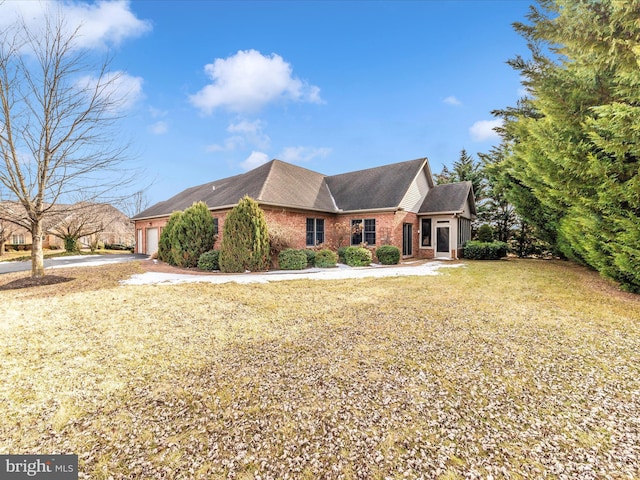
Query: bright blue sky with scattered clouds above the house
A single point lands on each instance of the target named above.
(215, 88)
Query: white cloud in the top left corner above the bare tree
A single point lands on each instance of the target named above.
(100, 23)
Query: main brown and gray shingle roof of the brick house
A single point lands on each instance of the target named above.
(279, 183)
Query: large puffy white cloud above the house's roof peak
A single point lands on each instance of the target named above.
(248, 80)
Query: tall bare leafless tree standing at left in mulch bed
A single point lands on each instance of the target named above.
(57, 144)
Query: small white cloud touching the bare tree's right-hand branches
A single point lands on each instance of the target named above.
(118, 88)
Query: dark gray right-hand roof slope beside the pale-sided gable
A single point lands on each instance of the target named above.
(379, 187)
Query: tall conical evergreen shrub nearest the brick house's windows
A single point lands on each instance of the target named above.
(245, 239)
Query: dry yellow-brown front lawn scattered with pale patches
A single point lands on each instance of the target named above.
(518, 369)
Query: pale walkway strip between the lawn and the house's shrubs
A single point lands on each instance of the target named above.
(339, 273)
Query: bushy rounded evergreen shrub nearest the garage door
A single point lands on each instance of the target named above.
(192, 235)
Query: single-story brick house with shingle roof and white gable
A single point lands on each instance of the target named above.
(395, 204)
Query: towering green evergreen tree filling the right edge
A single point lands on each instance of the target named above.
(574, 142)
